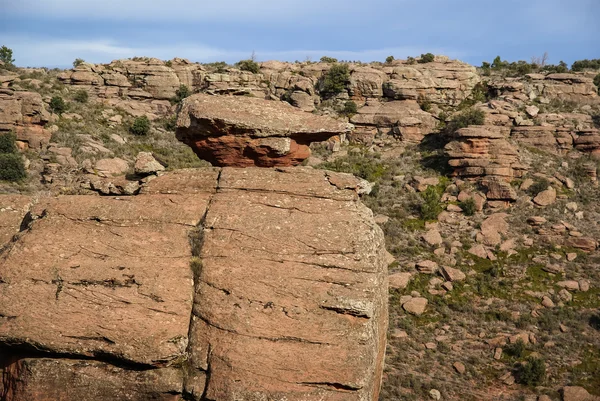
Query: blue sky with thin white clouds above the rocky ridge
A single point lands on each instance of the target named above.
(54, 32)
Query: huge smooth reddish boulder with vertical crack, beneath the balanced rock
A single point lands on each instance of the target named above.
(211, 284)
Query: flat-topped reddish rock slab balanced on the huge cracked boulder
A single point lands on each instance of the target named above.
(244, 131)
